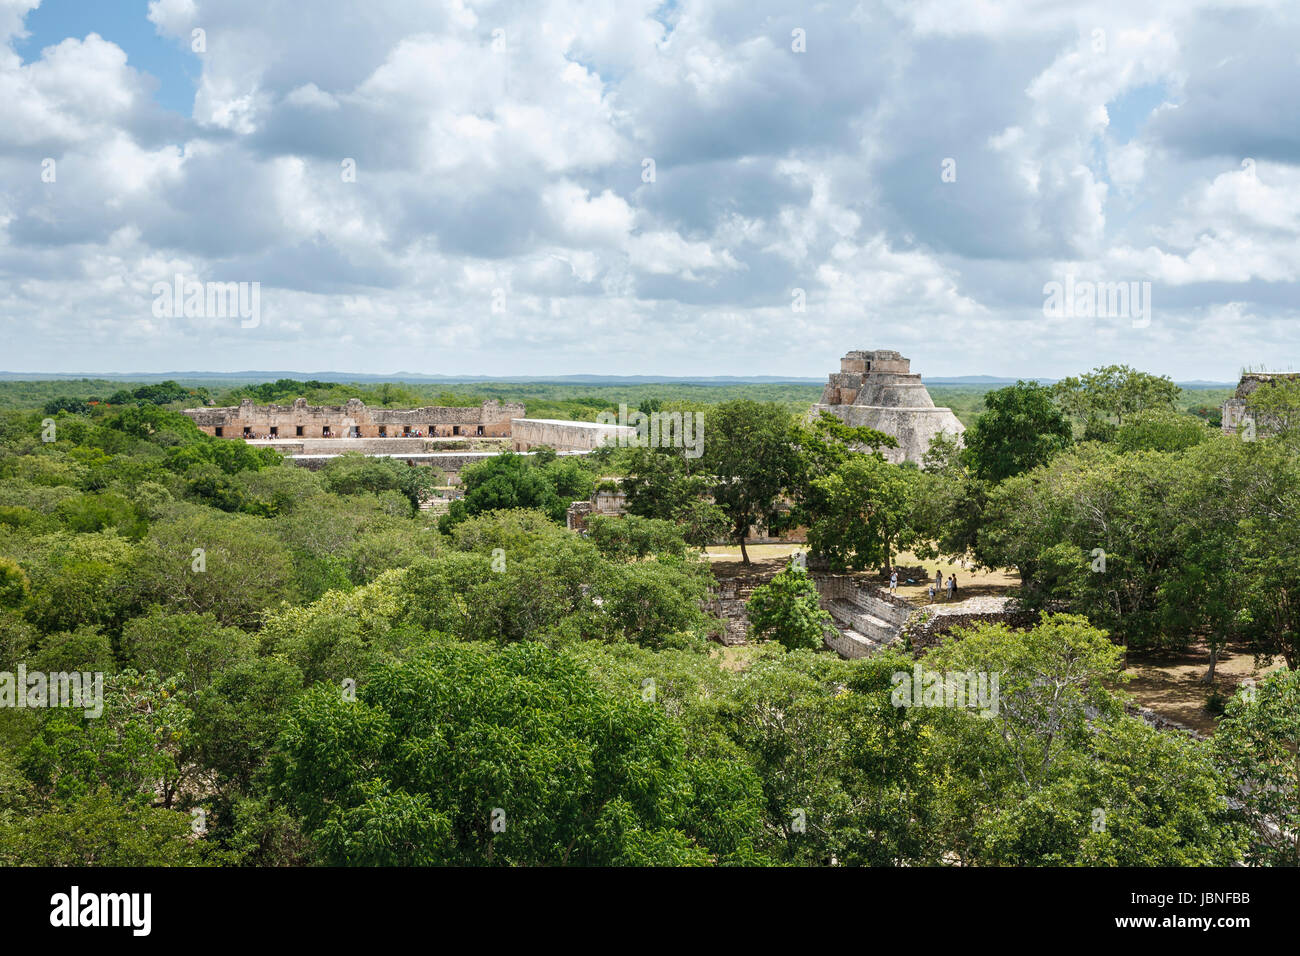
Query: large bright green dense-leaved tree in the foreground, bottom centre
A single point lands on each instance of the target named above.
(413, 773)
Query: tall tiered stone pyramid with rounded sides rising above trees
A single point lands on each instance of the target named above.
(878, 390)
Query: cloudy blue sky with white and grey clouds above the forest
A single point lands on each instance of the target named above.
(640, 188)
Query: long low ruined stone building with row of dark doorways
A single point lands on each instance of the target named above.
(354, 421)
